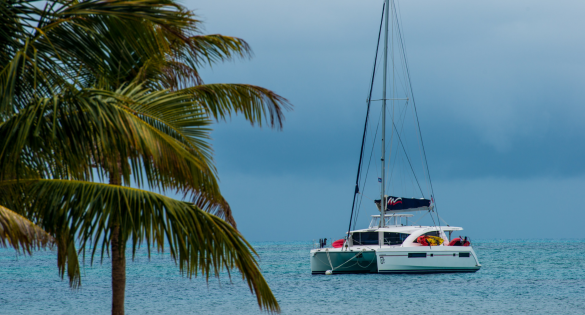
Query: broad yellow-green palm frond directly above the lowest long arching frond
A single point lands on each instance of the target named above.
(79, 132)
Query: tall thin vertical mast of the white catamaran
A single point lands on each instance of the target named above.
(383, 197)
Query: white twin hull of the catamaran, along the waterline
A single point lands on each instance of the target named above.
(423, 259)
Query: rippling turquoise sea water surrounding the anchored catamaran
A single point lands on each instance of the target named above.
(517, 277)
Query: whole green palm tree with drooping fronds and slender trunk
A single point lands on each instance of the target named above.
(109, 91)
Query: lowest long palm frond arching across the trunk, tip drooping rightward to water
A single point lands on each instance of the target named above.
(200, 242)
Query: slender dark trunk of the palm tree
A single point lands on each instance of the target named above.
(118, 260)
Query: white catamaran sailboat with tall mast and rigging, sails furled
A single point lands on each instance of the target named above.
(391, 244)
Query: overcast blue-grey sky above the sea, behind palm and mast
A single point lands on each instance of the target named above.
(499, 91)
